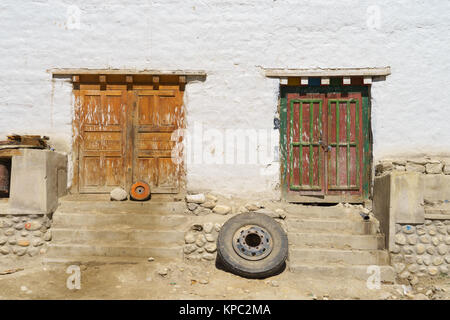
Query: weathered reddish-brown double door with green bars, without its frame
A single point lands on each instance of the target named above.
(324, 140)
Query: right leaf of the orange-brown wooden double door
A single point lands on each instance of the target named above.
(157, 116)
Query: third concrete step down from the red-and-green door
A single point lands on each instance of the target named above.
(336, 241)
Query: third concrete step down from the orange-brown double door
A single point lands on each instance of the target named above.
(62, 235)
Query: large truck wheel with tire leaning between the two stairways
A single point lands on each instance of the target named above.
(252, 245)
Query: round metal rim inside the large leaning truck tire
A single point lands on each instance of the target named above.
(252, 242)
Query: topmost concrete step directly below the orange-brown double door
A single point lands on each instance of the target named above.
(114, 207)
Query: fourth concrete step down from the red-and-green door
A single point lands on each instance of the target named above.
(347, 257)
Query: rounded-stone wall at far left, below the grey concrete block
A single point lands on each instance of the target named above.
(22, 235)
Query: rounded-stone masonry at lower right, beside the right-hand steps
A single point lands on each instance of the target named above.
(421, 250)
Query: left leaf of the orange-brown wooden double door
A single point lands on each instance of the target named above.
(102, 139)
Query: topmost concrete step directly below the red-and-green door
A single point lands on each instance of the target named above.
(321, 212)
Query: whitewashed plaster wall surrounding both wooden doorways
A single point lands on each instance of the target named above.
(231, 40)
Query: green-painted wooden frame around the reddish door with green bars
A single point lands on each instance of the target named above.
(366, 144)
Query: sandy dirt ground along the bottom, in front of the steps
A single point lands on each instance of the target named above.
(168, 280)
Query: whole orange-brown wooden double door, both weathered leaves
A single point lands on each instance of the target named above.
(124, 135)
